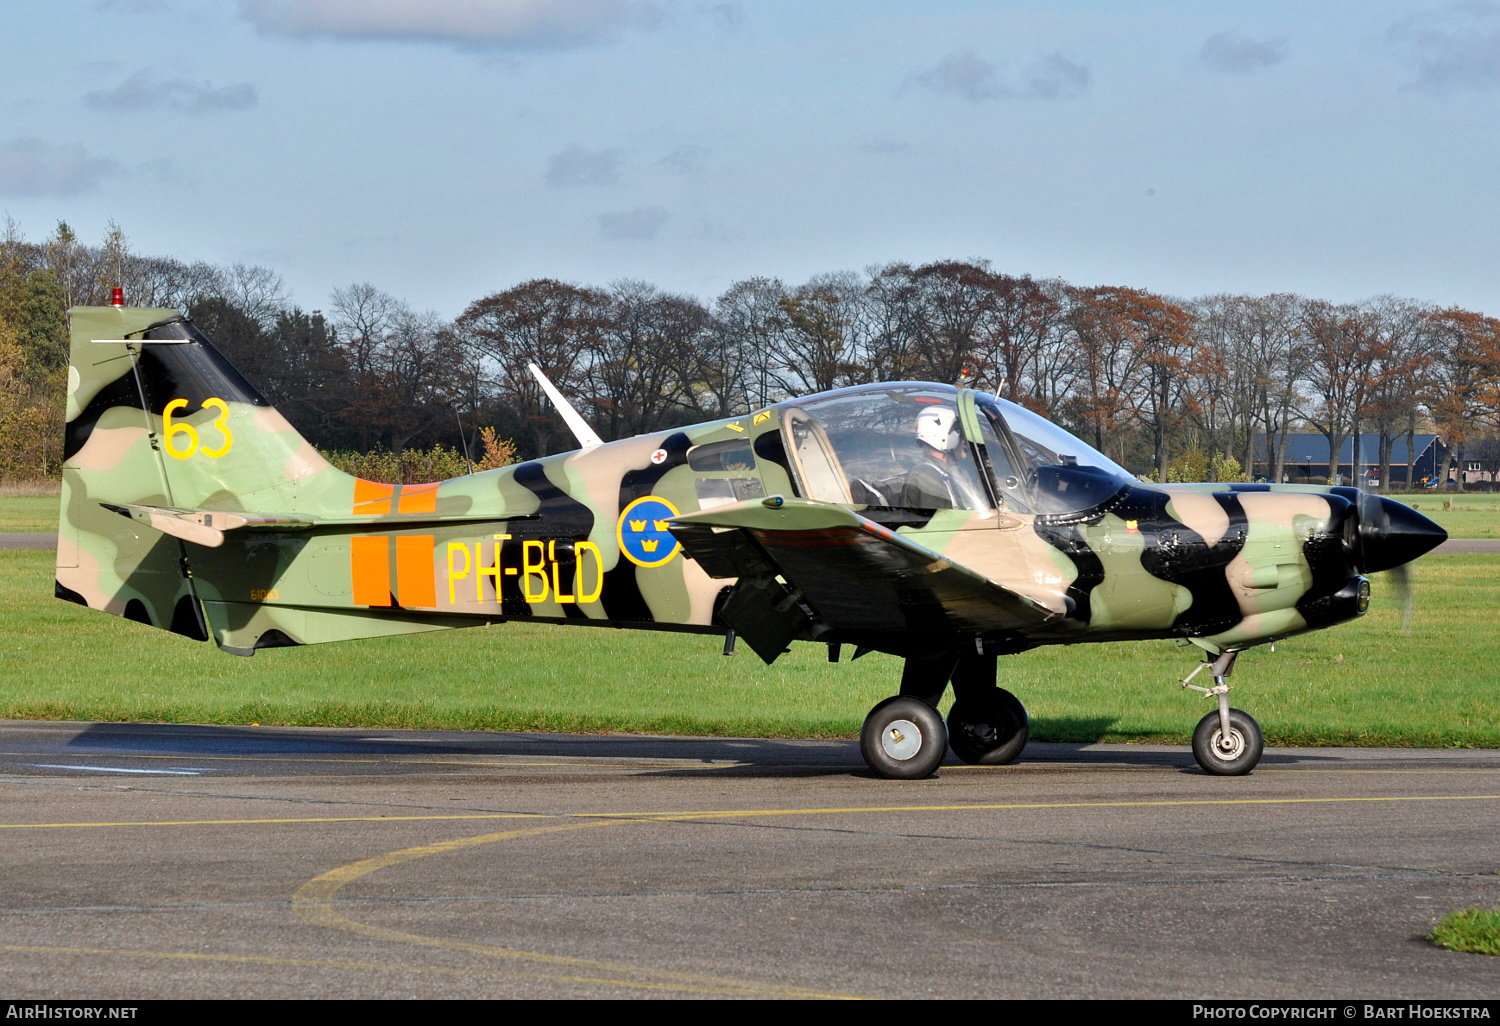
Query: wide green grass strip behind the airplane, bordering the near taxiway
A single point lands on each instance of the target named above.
(1357, 685)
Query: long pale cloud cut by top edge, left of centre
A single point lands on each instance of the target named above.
(539, 25)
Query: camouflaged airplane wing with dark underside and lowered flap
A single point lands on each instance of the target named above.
(851, 572)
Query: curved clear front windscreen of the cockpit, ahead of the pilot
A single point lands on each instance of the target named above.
(1049, 470)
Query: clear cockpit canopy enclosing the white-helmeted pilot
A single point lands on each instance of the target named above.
(929, 446)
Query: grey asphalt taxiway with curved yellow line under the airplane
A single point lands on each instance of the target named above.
(178, 862)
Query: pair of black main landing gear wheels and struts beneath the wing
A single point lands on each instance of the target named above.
(904, 737)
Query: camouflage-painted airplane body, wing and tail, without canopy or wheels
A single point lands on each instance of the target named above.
(191, 505)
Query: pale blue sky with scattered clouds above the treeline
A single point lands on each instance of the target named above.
(448, 149)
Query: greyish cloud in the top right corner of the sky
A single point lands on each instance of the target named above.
(1454, 47)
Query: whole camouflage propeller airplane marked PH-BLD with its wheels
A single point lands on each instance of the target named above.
(937, 524)
